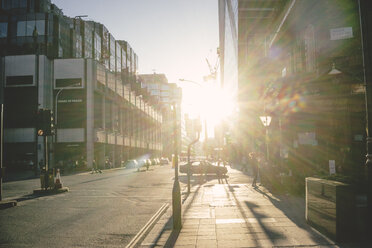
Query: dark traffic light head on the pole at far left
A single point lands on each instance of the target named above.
(45, 122)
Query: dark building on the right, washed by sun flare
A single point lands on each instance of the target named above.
(299, 62)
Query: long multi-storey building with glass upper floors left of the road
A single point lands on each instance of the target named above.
(77, 69)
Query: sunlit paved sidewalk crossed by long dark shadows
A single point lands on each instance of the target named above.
(237, 215)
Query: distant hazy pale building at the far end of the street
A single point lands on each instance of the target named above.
(168, 94)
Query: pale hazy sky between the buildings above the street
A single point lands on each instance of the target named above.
(169, 36)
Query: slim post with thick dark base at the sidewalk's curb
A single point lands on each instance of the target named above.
(176, 192)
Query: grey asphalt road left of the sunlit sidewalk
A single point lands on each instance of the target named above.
(100, 210)
